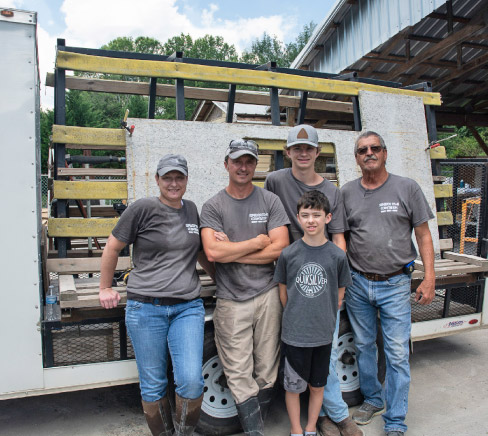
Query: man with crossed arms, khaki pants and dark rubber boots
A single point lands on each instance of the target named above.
(243, 232)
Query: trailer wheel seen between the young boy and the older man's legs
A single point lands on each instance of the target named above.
(347, 367)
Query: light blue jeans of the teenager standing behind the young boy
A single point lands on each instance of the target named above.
(333, 405)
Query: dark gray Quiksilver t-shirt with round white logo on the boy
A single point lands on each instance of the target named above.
(312, 276)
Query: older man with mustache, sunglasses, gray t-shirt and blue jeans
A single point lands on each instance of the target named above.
(382, 209)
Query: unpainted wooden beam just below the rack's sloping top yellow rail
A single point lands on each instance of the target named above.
(194, 93)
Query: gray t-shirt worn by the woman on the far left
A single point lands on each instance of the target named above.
(166, 244)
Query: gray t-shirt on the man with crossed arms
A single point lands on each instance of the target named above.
(241, 220)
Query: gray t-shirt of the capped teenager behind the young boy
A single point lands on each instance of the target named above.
(284, 184)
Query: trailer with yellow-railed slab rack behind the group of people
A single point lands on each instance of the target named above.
(87, 347)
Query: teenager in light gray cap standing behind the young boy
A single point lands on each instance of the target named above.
(289, 184)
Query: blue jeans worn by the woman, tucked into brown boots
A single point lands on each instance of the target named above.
(155, 330)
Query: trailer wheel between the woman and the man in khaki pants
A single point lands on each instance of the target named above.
(219, 413)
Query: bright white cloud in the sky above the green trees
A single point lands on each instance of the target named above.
(92, 23)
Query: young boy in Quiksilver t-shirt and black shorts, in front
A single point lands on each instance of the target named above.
(312, 274)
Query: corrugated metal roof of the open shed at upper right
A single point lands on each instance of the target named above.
(396, 40)
